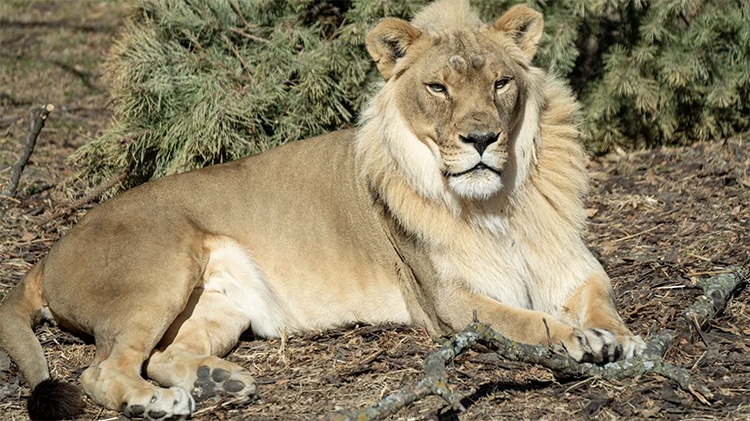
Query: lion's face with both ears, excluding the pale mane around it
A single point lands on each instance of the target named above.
(462, 94)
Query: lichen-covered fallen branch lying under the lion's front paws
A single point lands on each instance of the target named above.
(718, 290)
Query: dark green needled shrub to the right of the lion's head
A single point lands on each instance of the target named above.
(663, 72)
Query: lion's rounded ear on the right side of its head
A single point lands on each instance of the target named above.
(524, 25)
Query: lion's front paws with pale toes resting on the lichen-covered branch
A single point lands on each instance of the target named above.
(602, 346)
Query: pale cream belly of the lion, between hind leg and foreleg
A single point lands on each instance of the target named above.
(307, 293)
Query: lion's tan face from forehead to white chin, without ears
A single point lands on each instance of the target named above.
(462, 104)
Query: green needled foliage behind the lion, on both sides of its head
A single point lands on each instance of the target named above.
(197, 82)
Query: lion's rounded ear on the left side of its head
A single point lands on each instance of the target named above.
(388, 41)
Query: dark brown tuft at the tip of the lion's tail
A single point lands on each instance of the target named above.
(55, 400)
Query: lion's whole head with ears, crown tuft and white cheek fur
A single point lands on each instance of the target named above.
(459, 107)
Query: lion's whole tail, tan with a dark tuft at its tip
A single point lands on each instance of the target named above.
(20, 312)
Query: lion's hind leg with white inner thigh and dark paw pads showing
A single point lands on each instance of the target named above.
(233, 296)
